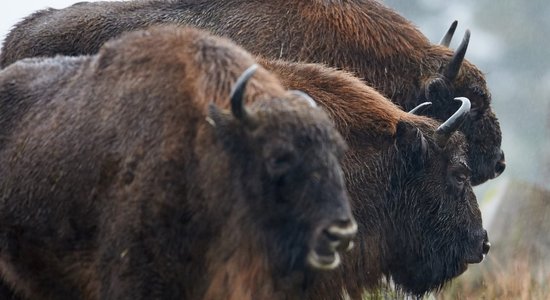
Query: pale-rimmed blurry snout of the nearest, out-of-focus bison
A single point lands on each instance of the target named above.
(329, 241)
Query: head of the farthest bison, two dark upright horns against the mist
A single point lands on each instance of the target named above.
(459, 78)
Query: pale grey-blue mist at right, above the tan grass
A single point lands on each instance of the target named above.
(508, 45)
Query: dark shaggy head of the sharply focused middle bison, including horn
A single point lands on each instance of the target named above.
(435, 229)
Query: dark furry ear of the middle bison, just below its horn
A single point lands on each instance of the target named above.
(411, 141)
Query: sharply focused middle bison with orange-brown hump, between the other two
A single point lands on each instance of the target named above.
(409, 184)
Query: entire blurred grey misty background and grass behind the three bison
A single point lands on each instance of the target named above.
(510, 44)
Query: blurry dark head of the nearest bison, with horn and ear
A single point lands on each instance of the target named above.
(290, 160)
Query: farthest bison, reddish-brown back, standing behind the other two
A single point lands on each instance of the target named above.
(362, 36)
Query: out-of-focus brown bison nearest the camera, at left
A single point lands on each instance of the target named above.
(140, 173)
